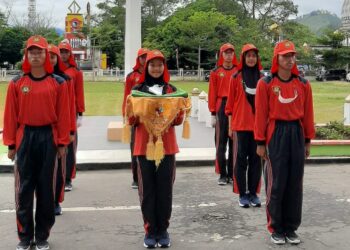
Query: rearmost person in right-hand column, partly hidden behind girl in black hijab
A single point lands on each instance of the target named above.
(218, 91)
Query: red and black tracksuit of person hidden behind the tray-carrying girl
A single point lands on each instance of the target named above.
(131, 80)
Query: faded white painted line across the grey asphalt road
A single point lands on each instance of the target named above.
(116, 208)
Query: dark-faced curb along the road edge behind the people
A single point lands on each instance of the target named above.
(95, 166)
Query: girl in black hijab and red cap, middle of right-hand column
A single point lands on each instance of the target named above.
(240, 108)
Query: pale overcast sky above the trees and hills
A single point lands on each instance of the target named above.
(57, 9)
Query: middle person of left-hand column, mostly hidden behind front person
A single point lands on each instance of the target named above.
(58, 66)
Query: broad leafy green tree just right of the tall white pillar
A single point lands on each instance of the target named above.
(192, 32)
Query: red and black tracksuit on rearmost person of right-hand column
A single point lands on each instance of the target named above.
(219, 82)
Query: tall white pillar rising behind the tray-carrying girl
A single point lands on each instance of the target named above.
(132, 33)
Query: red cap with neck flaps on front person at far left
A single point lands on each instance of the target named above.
(39, 42)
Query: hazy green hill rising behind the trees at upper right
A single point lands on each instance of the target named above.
(318, 20)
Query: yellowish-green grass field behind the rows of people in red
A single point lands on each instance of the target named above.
(105, 98)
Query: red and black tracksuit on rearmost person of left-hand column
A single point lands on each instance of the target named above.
(76, 76)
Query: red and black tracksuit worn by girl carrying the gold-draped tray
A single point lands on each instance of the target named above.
(156, 184)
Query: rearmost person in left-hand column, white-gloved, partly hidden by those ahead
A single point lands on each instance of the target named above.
(76, 76)
